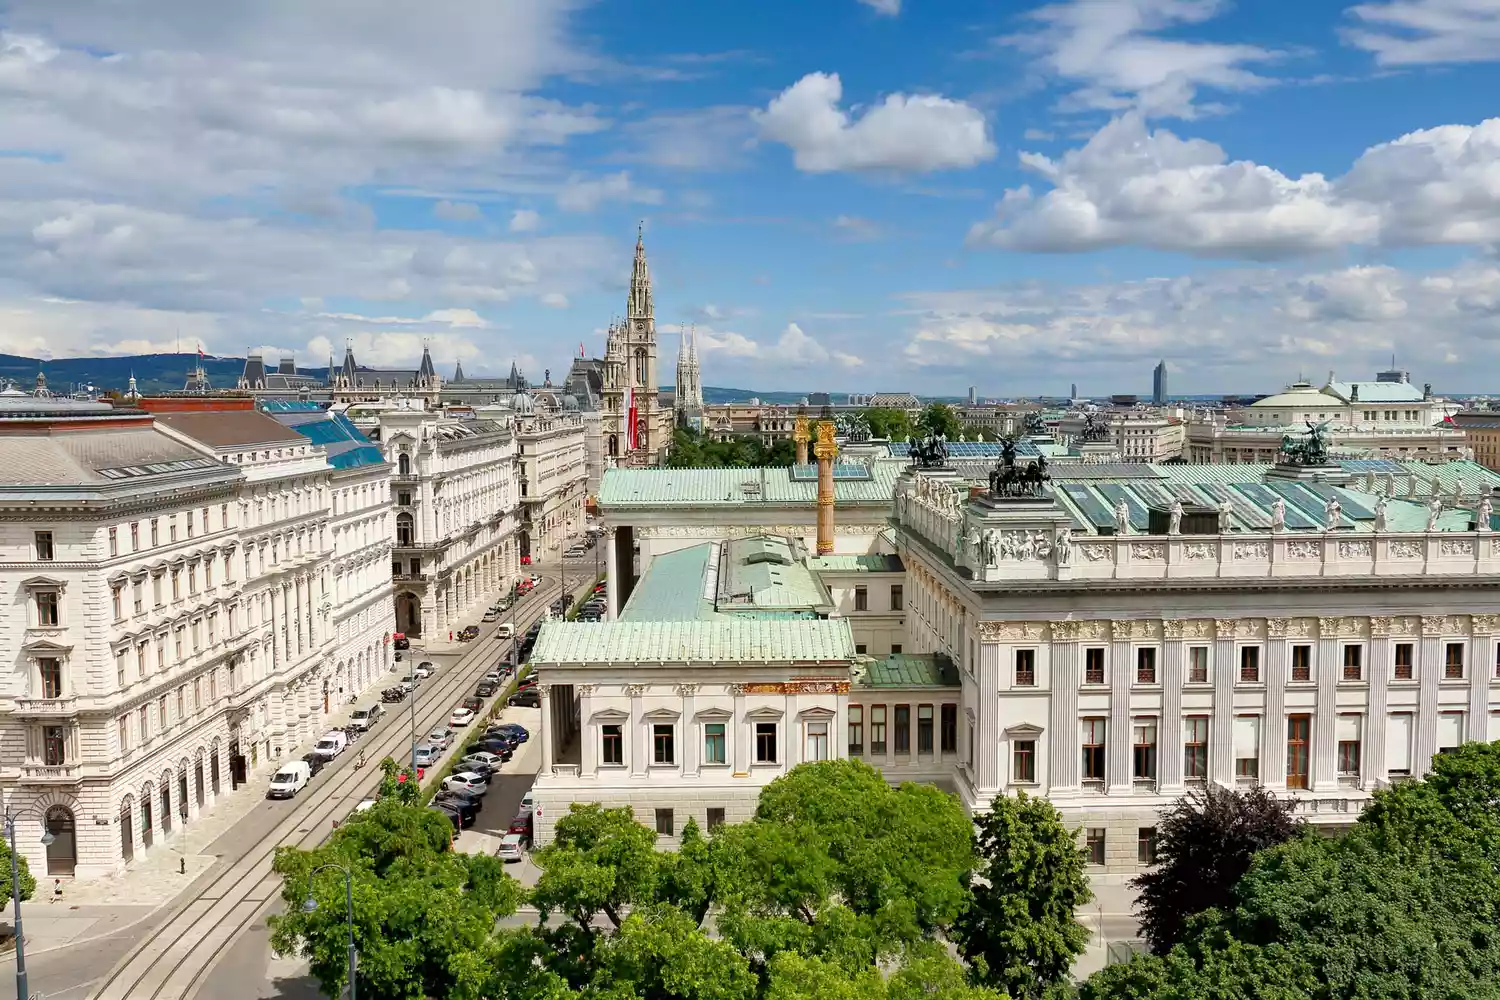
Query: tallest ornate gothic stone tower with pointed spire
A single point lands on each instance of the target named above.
(631, 364)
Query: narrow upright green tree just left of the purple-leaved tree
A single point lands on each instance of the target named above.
(1021, 932)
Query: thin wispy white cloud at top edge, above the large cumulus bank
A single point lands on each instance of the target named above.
(1115, 55)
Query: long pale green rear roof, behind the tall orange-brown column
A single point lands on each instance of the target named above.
(739, 488)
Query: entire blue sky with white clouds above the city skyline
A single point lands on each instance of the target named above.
(853, 196)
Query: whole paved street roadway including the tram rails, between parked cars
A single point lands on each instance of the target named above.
(166, 959)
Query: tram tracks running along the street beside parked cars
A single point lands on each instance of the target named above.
(172, 962)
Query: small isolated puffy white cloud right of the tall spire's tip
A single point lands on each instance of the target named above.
(904, 133)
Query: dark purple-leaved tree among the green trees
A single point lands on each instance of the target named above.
(1205, 842)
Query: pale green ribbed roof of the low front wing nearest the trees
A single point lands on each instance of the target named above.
(727, 639)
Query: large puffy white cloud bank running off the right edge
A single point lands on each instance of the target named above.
(1135, 187)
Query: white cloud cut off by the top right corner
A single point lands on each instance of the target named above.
(1418, 32)
